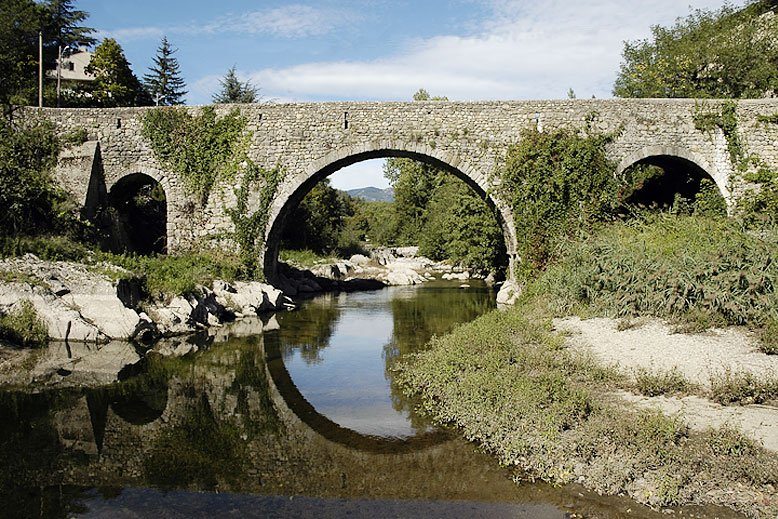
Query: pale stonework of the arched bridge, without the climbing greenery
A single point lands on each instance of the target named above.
(309, 141)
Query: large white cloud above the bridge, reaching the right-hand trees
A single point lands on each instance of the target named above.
(535, 49)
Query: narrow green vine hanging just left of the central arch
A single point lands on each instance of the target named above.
(249, 228)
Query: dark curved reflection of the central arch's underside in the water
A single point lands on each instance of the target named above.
(285, 394)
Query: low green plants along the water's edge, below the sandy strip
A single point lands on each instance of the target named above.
(508, 382)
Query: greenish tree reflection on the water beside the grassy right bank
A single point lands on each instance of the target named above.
(429, 312)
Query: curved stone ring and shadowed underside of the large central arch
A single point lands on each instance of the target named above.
(294, 189)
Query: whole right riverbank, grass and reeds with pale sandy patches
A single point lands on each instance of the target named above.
(585, 400)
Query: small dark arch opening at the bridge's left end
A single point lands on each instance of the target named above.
(138, 207)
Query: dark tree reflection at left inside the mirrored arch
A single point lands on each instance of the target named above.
(310, 328)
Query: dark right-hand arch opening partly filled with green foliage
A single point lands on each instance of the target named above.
(673, 182)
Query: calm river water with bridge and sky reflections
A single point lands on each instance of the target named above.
(302, 420)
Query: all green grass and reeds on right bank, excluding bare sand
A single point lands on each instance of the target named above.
(507, 381)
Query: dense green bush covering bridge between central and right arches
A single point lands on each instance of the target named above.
(558, 183)
